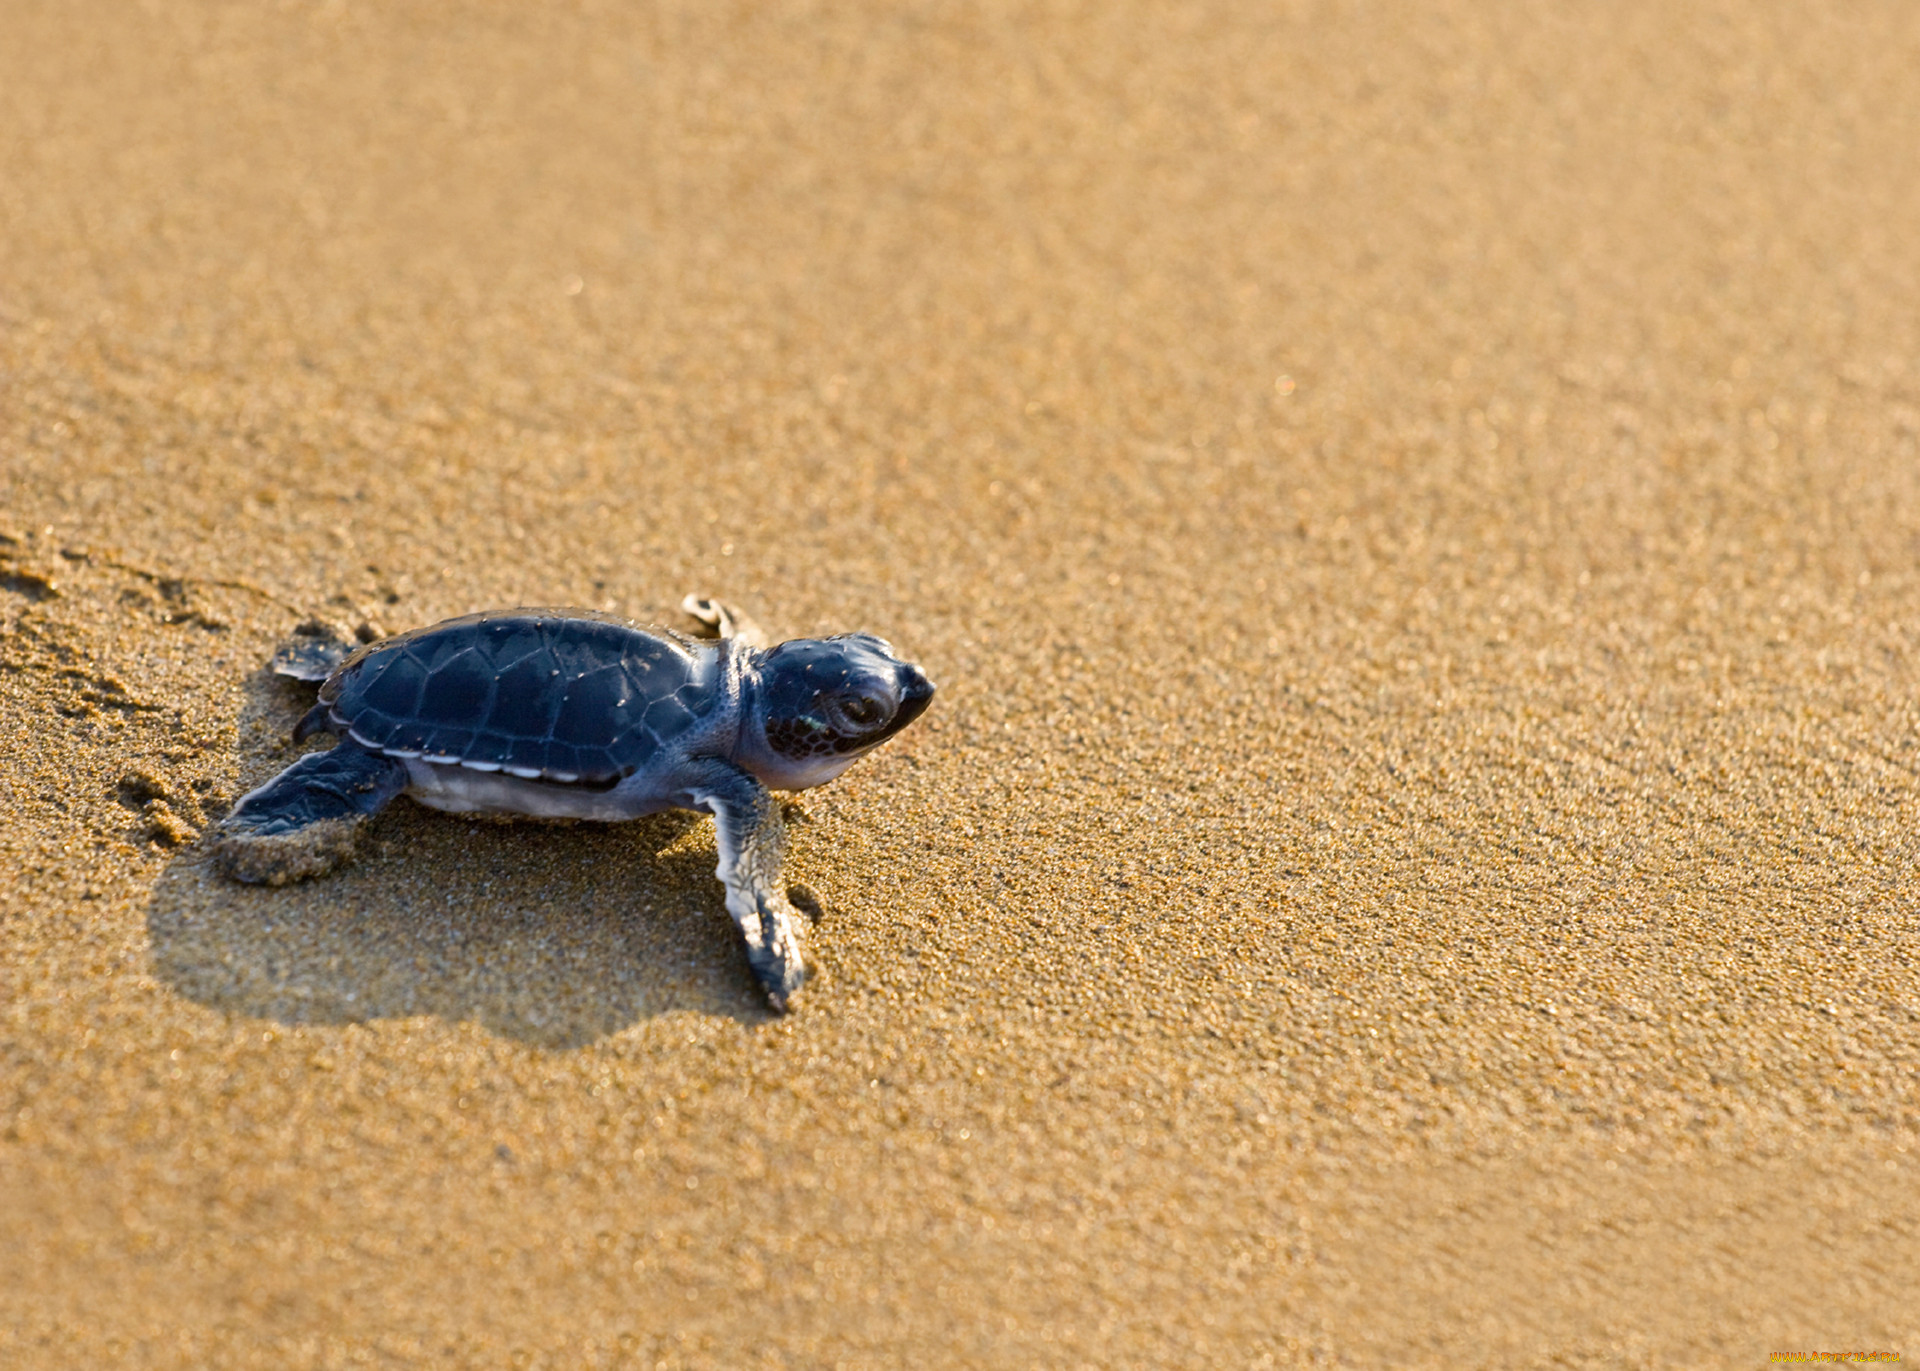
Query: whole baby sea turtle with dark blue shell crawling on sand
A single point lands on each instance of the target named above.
(567, 713)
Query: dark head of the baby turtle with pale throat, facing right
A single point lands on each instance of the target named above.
(821, 704)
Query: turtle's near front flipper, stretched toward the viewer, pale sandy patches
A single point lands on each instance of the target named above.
(752, 844)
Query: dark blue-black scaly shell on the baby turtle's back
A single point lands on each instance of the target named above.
(556, 694)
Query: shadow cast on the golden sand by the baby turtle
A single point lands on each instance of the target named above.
(554, 936)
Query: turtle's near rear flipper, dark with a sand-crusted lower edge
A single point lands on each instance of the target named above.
(306, 819)
